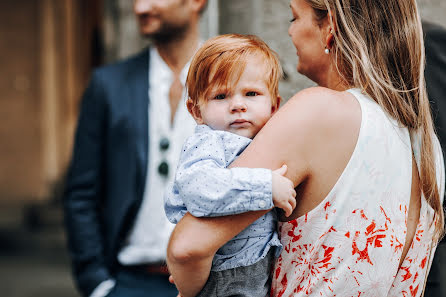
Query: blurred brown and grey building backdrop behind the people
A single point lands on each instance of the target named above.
(48, 49)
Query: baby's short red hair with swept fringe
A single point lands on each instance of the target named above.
(221, 60)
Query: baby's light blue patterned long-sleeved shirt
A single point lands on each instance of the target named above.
(205, 187)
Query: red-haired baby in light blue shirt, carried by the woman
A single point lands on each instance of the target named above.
(232, 86)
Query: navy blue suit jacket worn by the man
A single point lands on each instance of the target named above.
(106, 178)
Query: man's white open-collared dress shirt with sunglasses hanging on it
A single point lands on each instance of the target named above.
(147, 242)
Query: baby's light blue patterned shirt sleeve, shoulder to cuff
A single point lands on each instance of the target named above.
(207, 188)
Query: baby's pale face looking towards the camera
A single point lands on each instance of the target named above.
(245, 108)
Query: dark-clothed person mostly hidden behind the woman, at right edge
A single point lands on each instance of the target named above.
(435, 74)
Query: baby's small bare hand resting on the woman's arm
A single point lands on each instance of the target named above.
(284, 195)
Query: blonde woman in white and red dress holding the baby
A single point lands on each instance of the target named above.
(362, 153)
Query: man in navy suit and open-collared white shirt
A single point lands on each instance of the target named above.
(131, 127)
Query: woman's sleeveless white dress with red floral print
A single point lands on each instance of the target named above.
(351, 243)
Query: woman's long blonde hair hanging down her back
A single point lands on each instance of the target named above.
(378, 47)
